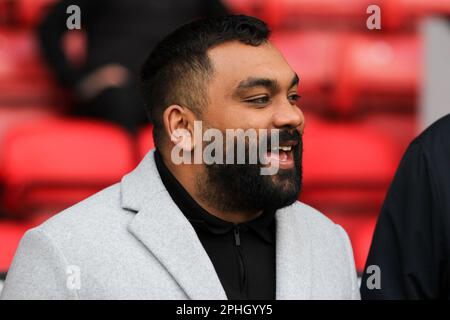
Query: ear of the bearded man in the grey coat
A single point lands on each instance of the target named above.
(179, 126)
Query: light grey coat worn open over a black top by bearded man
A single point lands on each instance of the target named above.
(130, 241)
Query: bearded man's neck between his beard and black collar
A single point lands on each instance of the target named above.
(187, 174)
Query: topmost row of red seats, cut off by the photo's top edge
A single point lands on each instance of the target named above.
(397, 14)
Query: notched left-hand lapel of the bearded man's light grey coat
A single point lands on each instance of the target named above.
(167, 234)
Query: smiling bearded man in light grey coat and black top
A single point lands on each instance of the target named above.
(193, 230)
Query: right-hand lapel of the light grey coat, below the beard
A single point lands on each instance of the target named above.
(293, 257)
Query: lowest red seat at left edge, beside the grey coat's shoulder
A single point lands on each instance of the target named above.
(10, 234)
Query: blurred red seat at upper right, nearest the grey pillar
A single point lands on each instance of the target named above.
(378, 72)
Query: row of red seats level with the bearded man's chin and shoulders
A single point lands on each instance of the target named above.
(49, 164)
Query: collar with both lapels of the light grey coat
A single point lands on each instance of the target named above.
(169, 236)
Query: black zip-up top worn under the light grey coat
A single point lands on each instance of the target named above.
(243, 255)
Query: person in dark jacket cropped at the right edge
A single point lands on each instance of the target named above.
(411, 245)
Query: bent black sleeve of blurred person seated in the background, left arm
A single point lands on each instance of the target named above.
(50, 34)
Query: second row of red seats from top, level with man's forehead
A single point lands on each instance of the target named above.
(341, 73)
